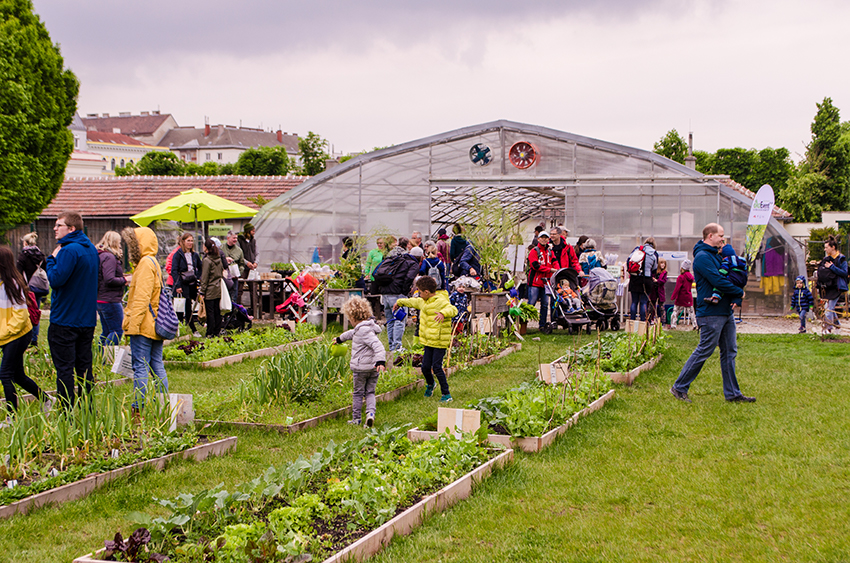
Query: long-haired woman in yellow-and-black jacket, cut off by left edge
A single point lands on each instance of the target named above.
(15, 334)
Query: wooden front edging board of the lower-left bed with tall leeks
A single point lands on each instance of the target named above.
(81, 488)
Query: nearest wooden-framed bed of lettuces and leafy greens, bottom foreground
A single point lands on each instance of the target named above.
(344, 503)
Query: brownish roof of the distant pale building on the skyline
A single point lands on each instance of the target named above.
(224, 136)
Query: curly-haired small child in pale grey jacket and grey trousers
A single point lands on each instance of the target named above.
(368, 357)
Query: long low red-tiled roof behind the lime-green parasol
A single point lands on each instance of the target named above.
(123, 196)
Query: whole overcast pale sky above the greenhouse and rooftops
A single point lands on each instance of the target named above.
(362, 74)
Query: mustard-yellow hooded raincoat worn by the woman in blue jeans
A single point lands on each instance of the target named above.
(144, 288)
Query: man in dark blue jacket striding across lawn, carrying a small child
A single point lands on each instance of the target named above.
(716, 321)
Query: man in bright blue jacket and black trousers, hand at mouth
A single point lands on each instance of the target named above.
(72, 272)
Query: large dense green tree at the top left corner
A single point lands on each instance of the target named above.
(37, 103)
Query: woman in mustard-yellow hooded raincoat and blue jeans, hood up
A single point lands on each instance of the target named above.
(140, 313)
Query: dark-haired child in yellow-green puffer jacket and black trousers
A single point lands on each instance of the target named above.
(435, 331)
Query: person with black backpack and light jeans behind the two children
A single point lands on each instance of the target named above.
(393, 280)
